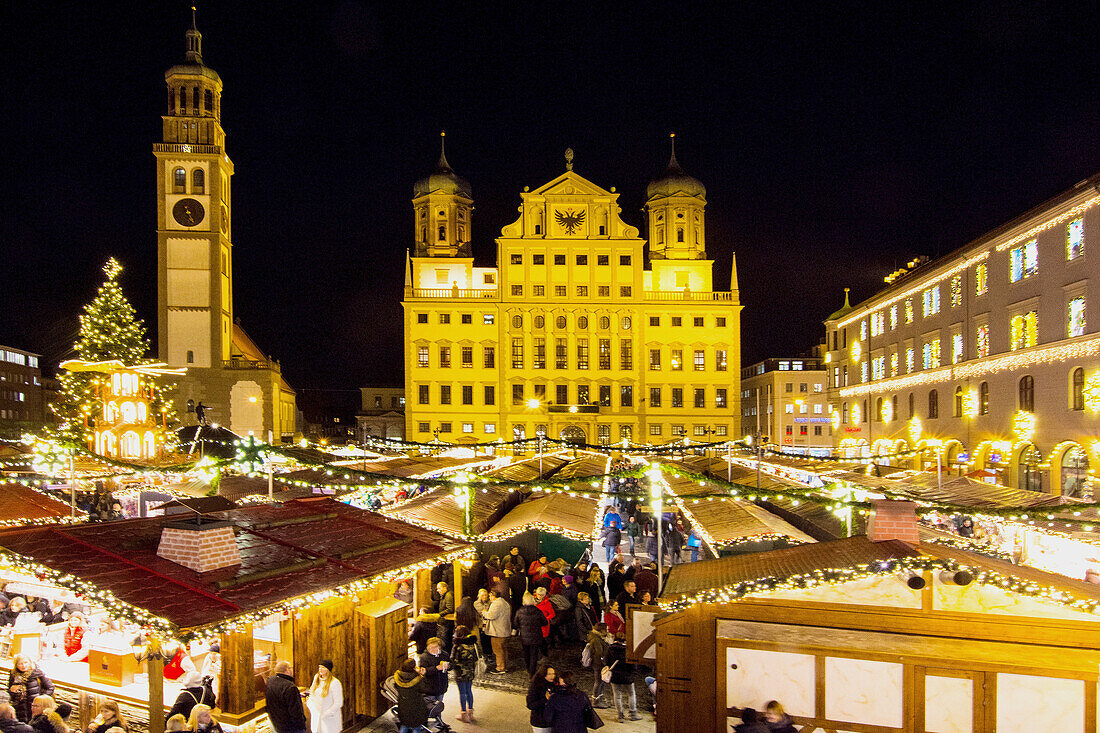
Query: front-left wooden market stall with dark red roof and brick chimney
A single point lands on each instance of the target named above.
(302, 582)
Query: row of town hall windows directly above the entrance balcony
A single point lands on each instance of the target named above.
(584, 396)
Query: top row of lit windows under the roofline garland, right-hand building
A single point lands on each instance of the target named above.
(1024, 264)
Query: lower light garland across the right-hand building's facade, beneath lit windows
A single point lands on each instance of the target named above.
(1075, 349)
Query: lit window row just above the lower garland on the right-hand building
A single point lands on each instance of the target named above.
(1024, 334)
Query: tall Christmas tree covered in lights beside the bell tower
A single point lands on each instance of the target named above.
(111, 331)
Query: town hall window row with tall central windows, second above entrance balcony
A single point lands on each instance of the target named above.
(562, 356)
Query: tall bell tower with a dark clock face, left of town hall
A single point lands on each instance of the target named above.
(195, 275)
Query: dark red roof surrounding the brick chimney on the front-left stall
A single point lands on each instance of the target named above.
(305, 546)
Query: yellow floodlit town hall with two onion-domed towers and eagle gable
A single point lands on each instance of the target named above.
(577, 333)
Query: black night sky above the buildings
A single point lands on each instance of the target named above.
(834, 145)
